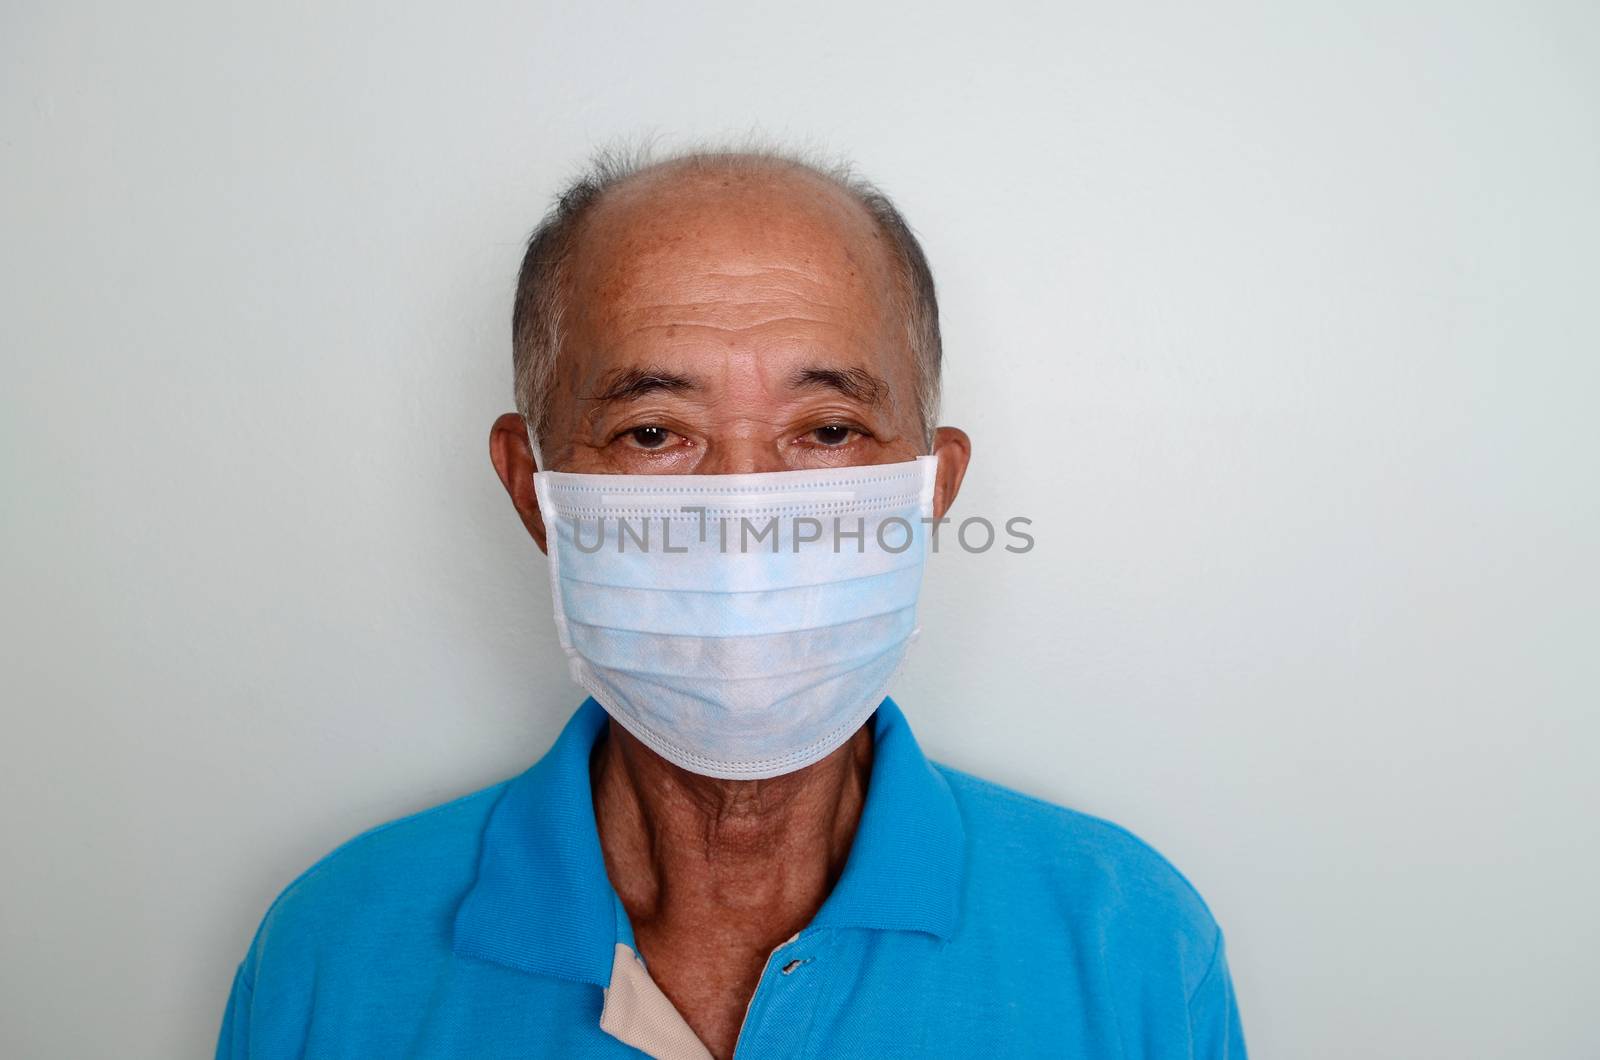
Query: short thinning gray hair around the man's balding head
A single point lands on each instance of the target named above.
(542, 284)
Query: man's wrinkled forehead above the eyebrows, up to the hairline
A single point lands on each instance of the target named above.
(734, 247)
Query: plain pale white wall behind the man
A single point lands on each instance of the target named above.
(1281, 321)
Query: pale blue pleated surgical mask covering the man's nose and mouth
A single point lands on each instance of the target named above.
(742, 627)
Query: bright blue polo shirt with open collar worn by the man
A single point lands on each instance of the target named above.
(970, 920)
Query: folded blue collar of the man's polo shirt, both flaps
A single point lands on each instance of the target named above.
(543, 904)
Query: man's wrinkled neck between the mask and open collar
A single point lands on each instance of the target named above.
(742, 859)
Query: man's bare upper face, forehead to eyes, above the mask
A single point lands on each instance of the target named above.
(732, 324)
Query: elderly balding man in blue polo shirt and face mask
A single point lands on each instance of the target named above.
(735, 848)
